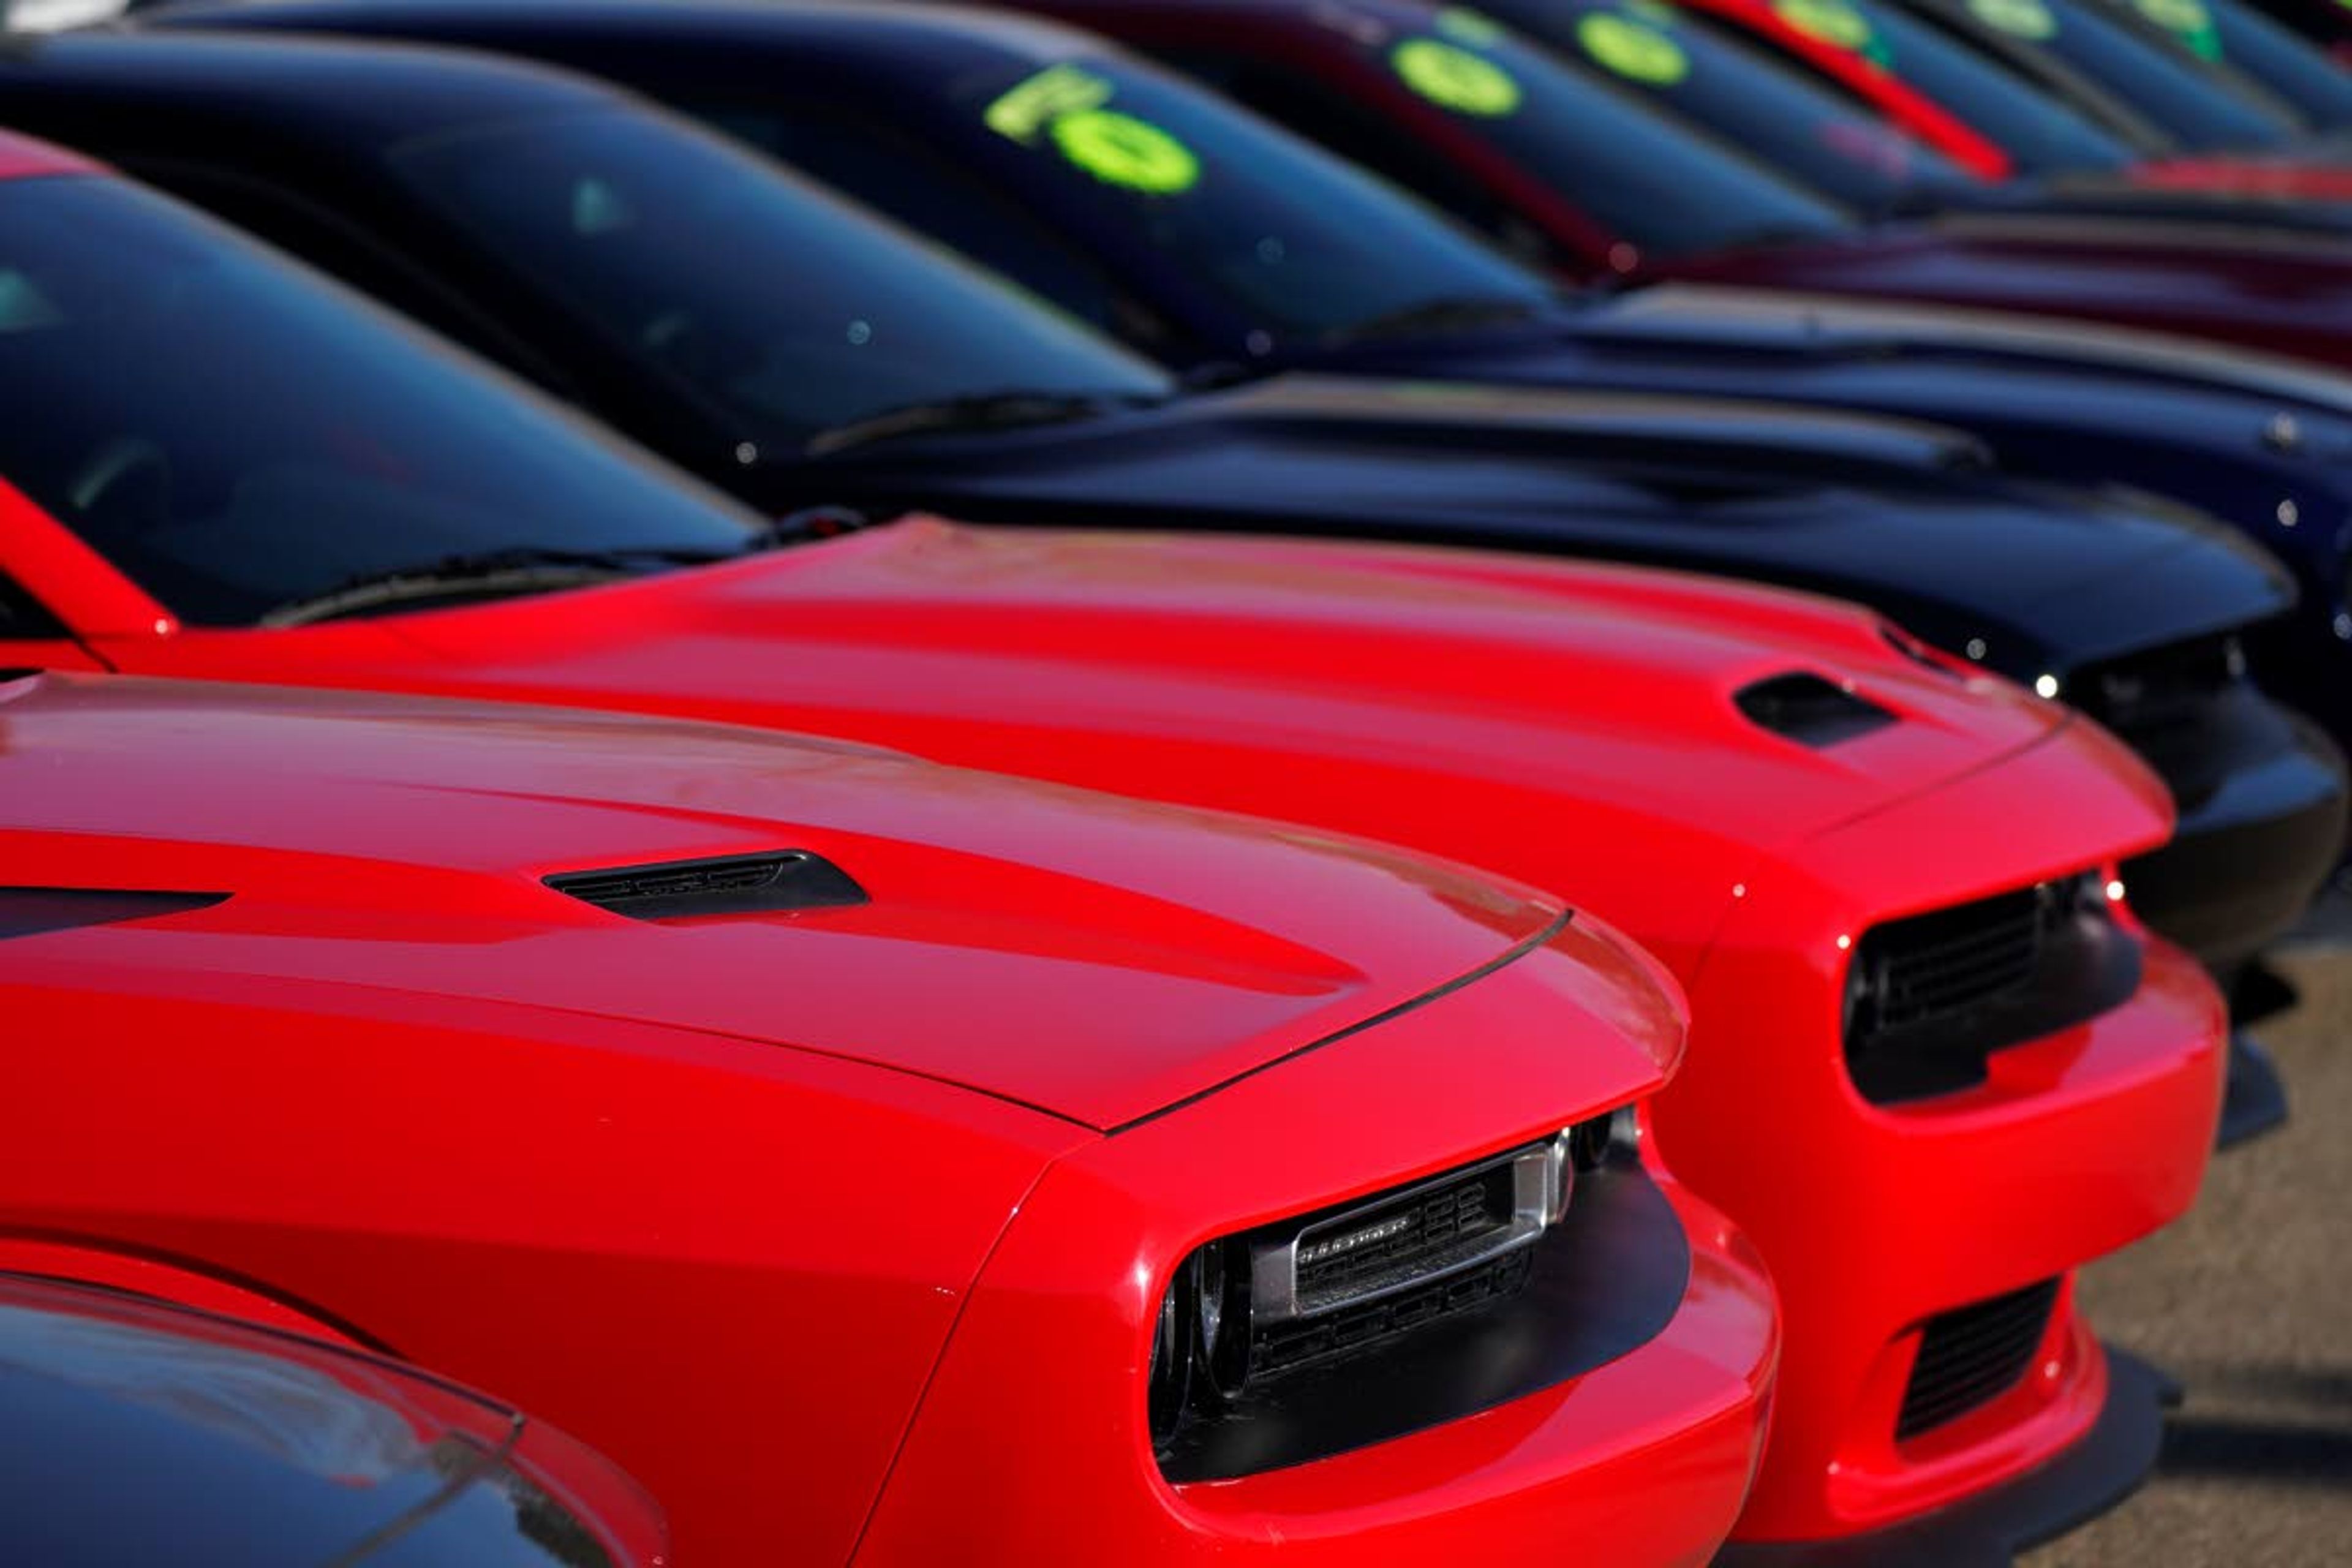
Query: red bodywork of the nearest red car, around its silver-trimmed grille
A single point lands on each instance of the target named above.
(740, 1257)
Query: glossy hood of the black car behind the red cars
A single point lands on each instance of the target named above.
(1899, 516)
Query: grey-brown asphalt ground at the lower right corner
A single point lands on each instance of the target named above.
(2250, 1304)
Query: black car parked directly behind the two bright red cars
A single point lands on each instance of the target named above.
(806, 356)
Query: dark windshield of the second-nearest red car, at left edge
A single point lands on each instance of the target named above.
(236, 434)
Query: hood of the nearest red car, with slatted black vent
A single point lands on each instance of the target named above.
(1083, 956)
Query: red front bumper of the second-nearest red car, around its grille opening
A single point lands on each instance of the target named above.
(1916, 1240)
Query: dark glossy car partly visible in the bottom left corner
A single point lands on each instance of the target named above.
(145, 1433)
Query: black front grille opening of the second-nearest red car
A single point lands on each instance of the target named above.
(1932, 998)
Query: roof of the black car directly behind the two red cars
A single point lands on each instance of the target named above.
(340, 91)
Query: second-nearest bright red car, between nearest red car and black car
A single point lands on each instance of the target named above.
(1935, 1068)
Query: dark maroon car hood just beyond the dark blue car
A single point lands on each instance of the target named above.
(2261, 288)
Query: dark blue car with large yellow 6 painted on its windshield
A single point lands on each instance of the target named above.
(1283, 257)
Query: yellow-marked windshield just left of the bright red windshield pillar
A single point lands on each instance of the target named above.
(1742, 95)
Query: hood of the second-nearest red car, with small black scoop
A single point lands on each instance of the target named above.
(1128, 650)
